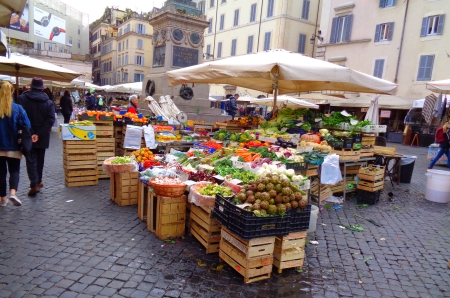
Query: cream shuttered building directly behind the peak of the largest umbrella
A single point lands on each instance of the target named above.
(244, 27)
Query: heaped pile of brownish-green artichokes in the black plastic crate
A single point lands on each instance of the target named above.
(270, 194)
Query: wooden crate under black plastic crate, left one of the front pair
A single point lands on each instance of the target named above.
(252, 259)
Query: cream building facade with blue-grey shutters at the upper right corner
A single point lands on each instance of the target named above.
(400, 41)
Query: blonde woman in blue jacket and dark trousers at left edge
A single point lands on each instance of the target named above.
(10, 115)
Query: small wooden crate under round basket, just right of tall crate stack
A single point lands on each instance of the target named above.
(124, 188)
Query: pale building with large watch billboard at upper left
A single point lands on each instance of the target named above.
(52, 31)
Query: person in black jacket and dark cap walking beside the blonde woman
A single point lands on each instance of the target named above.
(41, 112)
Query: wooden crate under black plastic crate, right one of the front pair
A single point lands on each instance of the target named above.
(289, 251)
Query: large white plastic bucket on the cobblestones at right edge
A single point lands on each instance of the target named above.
(438, 186)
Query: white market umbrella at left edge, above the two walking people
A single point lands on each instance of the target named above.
(23, 66)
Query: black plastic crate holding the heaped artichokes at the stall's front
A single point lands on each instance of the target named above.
(245, 224)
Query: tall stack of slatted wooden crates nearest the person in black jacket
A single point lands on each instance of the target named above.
(80, 163)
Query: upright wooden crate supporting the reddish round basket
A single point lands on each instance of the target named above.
(166, 216)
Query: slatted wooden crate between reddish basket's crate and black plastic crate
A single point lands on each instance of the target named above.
(204, 228)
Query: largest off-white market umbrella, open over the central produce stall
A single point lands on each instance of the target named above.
(280, 71)
